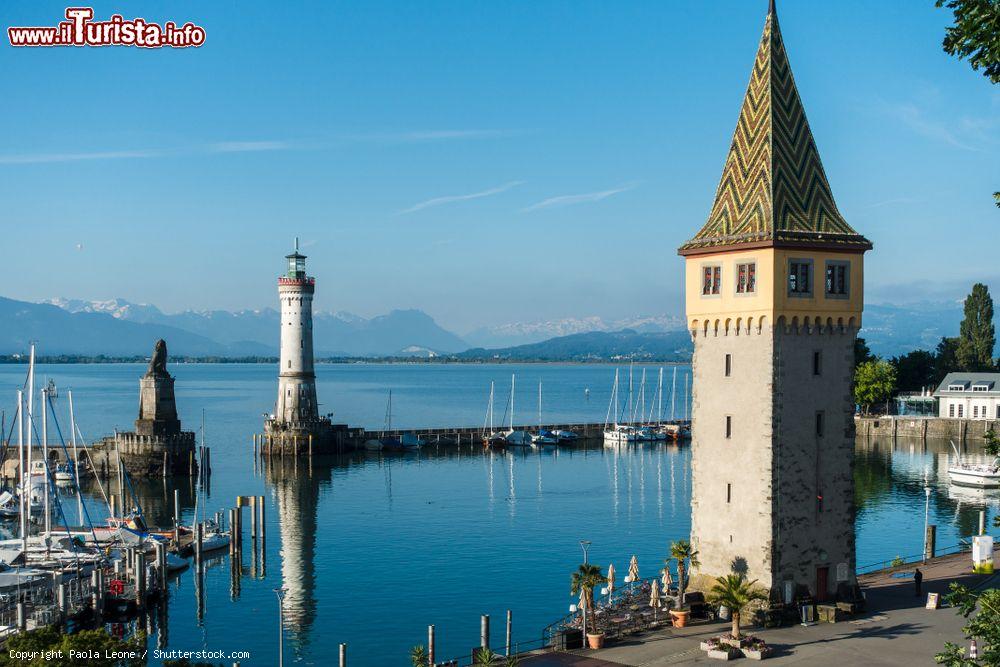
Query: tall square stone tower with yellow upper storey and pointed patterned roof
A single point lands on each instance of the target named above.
(774, 285)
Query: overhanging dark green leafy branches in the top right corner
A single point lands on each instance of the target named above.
(975, 34)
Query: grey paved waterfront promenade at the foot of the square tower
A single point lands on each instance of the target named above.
(897, 630)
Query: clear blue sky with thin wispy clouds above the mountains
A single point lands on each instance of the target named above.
(485, 162)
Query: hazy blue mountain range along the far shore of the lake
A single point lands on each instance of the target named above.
(117, 327)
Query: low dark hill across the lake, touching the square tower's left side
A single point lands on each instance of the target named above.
(521, 333)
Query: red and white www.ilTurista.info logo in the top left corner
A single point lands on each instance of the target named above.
(81, 30)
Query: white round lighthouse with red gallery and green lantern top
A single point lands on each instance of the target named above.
(296, 379)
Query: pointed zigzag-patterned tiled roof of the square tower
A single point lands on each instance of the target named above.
(773, 189)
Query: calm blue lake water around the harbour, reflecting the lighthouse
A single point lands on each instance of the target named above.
(374, 548)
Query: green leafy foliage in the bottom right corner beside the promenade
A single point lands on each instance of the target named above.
(984, 626)
